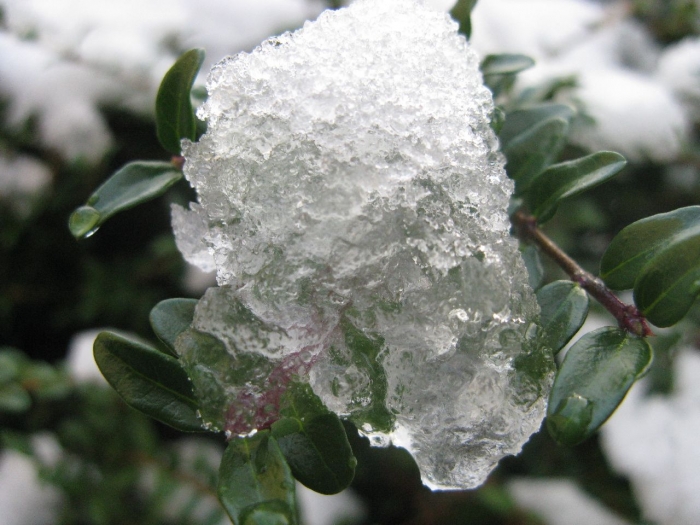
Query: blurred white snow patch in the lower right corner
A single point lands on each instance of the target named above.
(654, 441)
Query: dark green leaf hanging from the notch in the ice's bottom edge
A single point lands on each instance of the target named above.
(314, 442)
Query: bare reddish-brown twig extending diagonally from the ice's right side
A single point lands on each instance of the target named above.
(628, 316)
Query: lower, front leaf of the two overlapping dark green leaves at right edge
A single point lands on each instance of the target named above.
(669, 283)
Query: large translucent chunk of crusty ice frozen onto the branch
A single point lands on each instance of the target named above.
(353, 201)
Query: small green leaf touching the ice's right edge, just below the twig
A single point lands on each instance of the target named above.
(564, 308)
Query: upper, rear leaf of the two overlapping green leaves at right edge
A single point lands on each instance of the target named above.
(639, 242)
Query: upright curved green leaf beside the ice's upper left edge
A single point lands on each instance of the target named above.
(175, 118)
